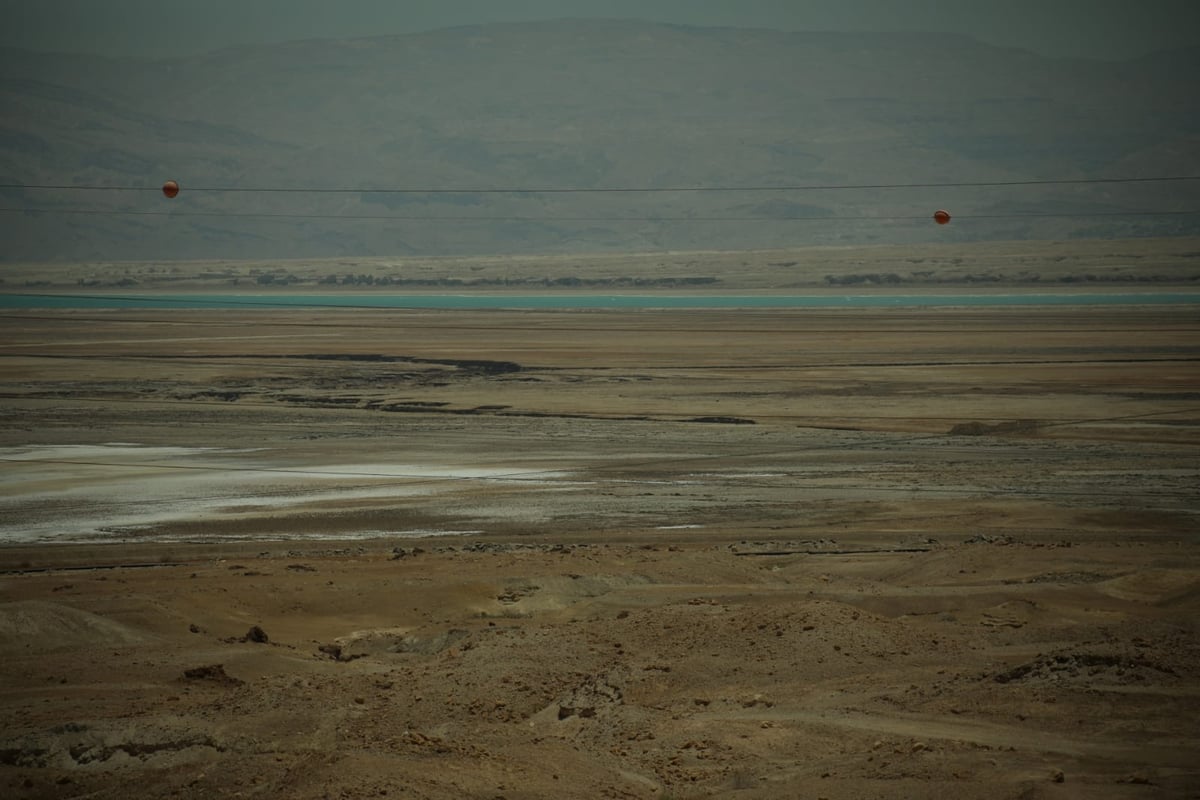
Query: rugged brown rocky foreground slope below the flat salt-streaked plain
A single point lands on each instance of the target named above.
(969, 667)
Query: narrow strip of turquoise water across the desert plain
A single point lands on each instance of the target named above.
(568, 302)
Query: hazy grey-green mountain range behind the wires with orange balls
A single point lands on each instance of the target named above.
(579, 105)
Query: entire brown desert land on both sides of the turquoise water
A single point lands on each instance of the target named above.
(844, 554)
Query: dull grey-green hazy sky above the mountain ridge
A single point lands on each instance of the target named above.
(1107, 29)
